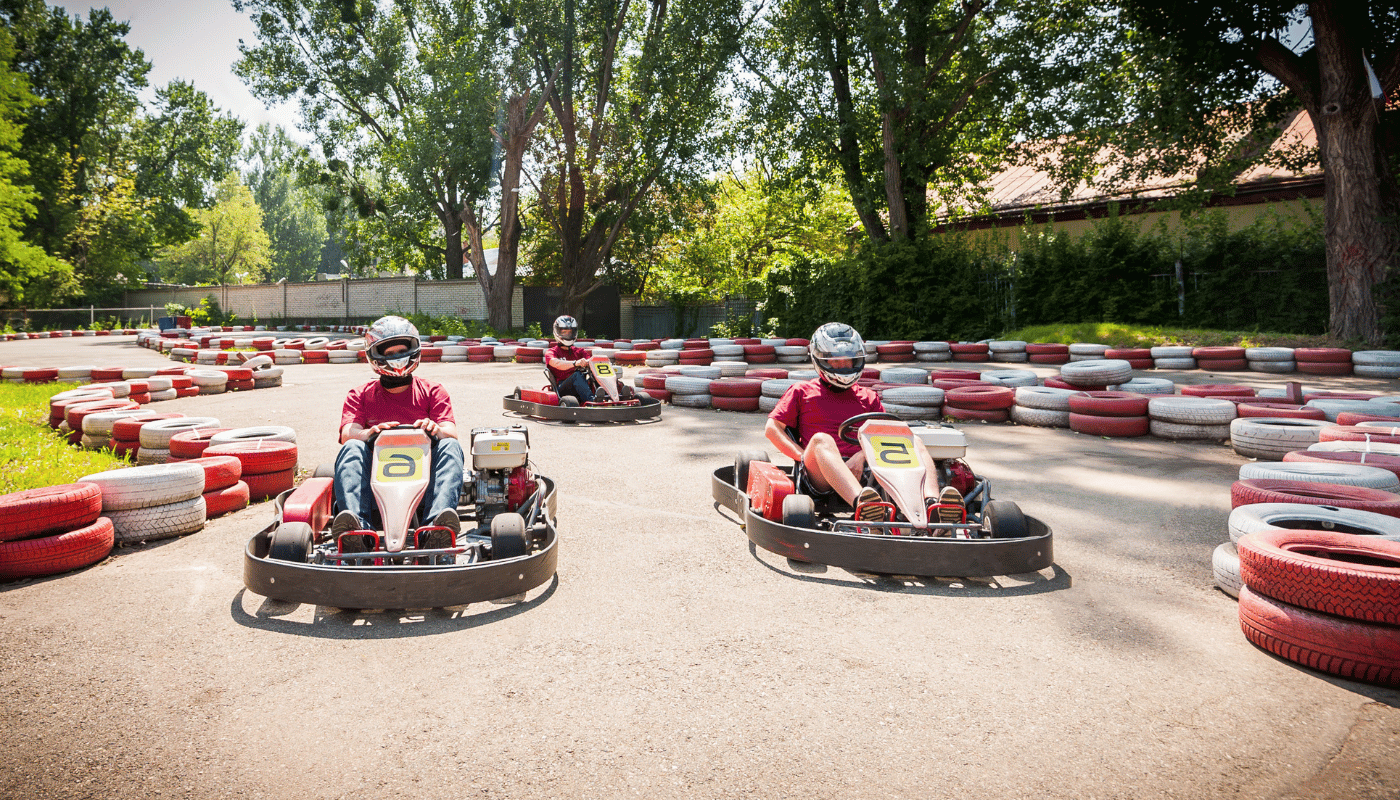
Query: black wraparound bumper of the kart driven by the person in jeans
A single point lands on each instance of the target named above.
(402, 586)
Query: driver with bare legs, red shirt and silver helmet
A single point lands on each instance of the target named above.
(818, 408)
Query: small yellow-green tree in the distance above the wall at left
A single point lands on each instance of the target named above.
(232, 243)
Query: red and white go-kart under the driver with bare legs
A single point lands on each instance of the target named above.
(990, 537)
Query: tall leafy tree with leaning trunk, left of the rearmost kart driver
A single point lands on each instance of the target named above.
(402, 102)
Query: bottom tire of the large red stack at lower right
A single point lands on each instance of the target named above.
(1357, 651)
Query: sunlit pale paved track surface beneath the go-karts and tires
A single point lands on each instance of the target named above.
(671, 659)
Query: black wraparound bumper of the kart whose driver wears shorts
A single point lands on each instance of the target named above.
(888, 556)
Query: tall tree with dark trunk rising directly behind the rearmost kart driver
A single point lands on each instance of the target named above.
(636, 117)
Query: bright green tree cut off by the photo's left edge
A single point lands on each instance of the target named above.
(20, 261)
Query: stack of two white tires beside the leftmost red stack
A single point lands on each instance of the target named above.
(153, 502)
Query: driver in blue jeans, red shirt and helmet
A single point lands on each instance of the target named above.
(397, 399)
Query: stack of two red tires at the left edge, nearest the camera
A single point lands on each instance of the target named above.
(52, 530)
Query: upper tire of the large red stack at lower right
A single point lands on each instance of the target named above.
(1357, 578)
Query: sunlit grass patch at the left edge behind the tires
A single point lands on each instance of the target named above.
(33, 455)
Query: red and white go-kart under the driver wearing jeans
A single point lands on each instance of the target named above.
(507, 544)
